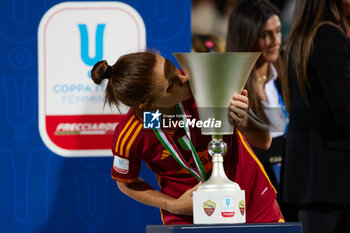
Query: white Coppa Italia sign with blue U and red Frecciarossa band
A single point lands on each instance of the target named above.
(73, 120)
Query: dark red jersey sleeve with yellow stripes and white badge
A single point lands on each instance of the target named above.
(125, 147)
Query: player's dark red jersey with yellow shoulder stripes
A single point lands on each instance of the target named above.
(132, 144)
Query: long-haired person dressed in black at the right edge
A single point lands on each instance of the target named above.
(317, 159)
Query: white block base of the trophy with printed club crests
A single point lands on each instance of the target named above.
(221, 206)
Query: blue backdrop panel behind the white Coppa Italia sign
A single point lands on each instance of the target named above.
(44, 192)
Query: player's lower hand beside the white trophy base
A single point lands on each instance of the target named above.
(184, 204)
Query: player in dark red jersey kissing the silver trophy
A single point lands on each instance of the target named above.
(147, 82)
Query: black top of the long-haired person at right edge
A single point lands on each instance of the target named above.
(317, 159)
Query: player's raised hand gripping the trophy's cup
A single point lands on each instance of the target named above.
(238, 109)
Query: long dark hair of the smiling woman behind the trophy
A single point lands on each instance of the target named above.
(246, 25)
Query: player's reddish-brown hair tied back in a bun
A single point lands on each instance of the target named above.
(129, 79)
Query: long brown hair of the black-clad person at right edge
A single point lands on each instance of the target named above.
(308, 17)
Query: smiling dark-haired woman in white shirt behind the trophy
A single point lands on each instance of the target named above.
(254, 26)
